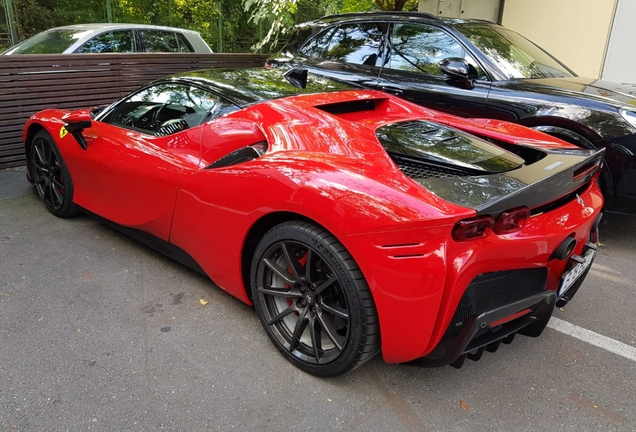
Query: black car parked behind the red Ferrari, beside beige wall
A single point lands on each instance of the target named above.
(475, 68)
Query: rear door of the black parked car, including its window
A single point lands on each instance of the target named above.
(350, 52)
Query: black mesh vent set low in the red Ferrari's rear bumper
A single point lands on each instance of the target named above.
(492, 290)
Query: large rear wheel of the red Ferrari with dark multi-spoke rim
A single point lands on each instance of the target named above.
(313, 300)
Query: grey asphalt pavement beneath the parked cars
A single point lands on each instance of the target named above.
(100, 333)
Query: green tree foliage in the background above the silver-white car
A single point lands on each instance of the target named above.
(243, 21)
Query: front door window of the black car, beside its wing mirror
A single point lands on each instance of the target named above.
(418, 48)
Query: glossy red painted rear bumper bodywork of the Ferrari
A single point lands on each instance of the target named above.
(418, 277)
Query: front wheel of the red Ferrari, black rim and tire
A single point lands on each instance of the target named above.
(51, 177)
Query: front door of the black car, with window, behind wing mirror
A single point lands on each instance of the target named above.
(411, 70)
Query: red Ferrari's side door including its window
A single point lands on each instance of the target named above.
(136, 153)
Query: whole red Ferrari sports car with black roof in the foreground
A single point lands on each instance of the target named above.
(354, 221)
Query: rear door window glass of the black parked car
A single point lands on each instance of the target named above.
(356, 43)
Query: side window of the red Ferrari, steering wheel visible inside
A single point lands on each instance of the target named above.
(163, 109)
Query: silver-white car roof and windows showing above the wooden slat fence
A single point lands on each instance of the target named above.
(111, 38)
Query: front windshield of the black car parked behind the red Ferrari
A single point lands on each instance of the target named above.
(515, 55)
